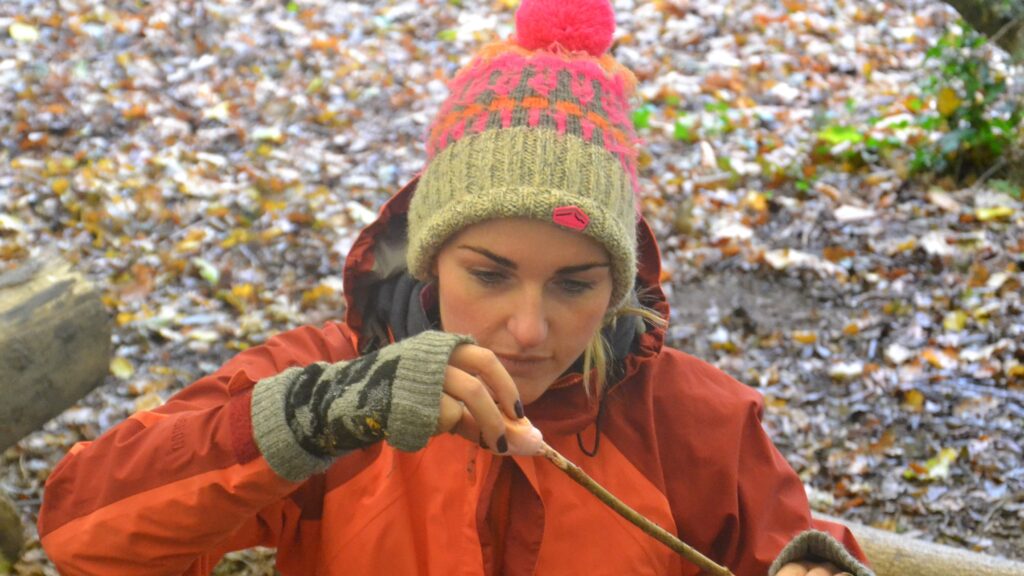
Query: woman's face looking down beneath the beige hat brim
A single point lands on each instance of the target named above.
(532, 293)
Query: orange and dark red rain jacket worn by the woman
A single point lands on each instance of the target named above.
(172, 490)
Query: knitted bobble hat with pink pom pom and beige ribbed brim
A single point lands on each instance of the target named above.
(538, 127)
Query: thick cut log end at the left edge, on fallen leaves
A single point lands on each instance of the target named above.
(55, 344)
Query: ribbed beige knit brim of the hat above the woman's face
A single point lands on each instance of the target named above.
(525, 173)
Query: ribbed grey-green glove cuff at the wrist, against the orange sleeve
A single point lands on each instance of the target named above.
(273, 435)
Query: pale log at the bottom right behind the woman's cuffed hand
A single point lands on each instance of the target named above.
(892, 555)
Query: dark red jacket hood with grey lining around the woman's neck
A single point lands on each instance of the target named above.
(385, 304)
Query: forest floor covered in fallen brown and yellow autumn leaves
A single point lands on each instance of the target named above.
(209, 163)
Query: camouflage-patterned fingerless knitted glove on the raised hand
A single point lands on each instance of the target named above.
(306, 418)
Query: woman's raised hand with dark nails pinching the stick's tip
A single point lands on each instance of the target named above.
(482, 404)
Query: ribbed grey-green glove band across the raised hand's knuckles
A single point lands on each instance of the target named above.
(416, 394)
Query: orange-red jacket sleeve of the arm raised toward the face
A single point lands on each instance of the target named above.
(172, 490)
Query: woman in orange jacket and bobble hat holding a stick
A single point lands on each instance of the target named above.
(514, 276)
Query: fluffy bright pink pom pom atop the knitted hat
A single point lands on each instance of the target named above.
(579, 26)
